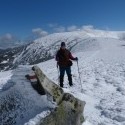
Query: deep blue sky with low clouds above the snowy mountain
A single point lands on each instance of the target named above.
(22, 18)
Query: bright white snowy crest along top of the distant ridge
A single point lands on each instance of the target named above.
(50, 39)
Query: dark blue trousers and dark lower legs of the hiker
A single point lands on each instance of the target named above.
(62, 73)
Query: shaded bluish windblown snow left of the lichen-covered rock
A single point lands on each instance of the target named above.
(19, 102)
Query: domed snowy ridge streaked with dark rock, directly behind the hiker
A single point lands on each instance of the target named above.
(45, 48)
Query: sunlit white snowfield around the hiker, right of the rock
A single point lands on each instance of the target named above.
(102, 73)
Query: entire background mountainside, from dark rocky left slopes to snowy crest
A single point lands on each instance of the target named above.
(45, 48)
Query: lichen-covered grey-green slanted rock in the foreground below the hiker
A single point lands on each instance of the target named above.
(69, 110)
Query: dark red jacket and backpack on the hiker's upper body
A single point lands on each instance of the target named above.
(63, 56)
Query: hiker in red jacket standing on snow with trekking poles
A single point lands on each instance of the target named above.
(63, 58)
